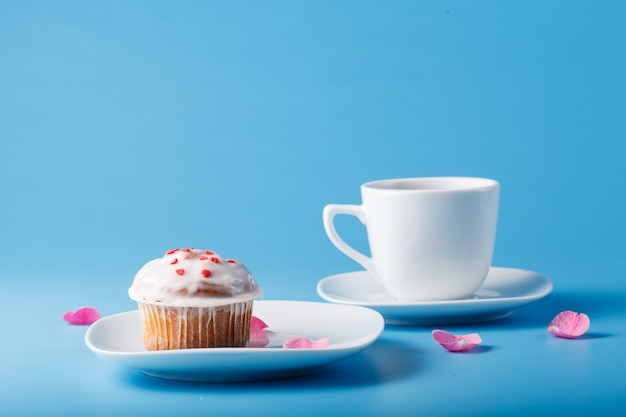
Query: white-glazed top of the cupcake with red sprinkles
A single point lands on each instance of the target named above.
(193, 277)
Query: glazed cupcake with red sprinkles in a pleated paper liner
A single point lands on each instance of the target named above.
(194, 298)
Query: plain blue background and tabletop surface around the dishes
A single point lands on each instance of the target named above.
(131, 127)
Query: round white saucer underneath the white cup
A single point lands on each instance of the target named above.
(503, 290)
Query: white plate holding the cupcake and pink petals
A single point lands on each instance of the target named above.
(118, 338)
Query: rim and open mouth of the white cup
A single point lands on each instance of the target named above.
(432, 184)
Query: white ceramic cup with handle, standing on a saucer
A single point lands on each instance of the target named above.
(430, 239)
